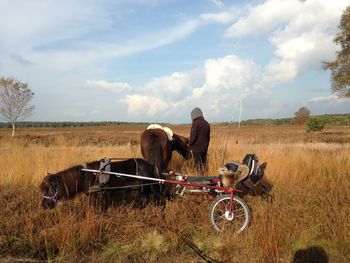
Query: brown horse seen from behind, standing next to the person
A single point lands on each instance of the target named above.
(157, 149)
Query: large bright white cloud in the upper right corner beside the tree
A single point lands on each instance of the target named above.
(302, 34)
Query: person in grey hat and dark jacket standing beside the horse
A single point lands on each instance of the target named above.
(199, 139)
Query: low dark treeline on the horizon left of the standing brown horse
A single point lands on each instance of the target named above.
(62, 124)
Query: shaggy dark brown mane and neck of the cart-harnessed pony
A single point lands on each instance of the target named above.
(68, 181)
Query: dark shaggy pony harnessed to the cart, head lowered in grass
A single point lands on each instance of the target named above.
(65, 185)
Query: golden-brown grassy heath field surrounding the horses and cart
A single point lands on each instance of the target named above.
(310, 207)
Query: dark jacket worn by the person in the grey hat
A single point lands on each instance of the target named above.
(200, 135)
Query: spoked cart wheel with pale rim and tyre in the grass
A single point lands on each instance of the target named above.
(221, 219)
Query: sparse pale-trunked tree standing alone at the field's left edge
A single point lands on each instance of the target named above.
(15, 98)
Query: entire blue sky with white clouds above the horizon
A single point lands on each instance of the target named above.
(155, 60)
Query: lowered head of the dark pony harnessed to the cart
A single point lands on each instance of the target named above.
(50, 188)
